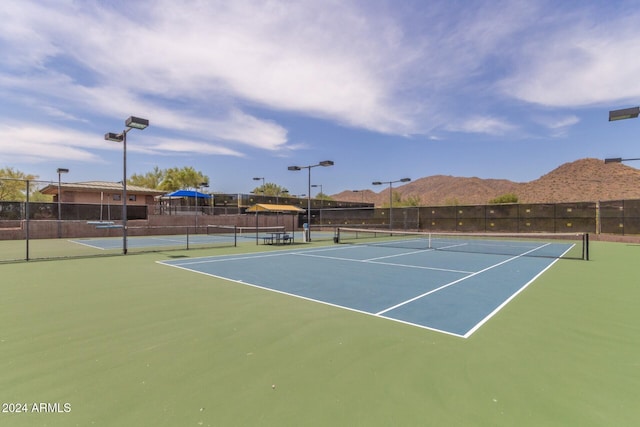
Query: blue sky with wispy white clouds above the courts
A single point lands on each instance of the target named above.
(384, 88)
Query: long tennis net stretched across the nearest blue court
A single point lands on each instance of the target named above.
(548, 245)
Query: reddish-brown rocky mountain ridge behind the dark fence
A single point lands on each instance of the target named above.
(578, 181)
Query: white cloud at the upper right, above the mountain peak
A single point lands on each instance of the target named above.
(580, 63)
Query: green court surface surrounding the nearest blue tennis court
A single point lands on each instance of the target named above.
(125, 341)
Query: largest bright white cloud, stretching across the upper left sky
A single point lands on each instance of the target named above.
(324, 60)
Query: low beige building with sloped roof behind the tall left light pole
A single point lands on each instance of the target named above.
(101, 192)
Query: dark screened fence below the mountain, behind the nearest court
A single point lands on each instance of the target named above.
(618, 217)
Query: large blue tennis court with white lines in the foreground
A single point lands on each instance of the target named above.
(449, 292)
